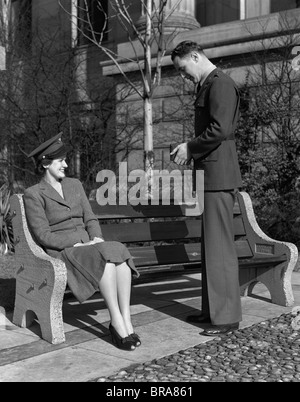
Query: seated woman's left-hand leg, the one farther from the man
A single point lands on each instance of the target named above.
(109, 290)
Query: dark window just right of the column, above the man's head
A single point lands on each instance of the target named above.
(211, 12)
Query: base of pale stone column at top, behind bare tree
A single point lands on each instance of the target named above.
(181, 19)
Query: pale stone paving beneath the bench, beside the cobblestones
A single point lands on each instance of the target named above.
(159, 311)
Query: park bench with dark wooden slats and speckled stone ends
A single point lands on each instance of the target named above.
(161, 239)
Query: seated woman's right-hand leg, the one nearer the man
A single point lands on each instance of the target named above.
(124, 292)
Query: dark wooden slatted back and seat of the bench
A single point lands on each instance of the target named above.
(167, 233)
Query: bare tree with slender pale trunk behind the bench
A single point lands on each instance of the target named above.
(152, 40)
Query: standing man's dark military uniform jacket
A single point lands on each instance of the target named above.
(213, 148)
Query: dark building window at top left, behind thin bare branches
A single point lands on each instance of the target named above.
(92, 20)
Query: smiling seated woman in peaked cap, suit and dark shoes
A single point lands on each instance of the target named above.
(61, 220)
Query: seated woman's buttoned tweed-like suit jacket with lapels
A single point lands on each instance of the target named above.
(57, 223)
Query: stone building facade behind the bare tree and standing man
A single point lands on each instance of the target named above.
(230, 31)
